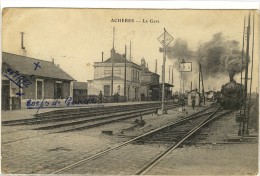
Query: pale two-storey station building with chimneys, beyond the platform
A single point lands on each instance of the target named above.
(103, 78)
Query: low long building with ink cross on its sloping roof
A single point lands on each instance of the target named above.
(25, 78)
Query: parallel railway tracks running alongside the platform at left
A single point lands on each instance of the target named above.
(89, 119)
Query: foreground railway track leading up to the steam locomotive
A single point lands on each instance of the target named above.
(145, 161)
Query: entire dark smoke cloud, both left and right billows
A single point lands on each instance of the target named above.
(219, 58)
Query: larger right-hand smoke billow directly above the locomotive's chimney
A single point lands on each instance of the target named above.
(220, 56)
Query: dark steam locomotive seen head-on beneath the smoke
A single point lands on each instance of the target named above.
(231, 97)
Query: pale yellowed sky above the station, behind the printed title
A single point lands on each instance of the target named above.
(75, 38)
